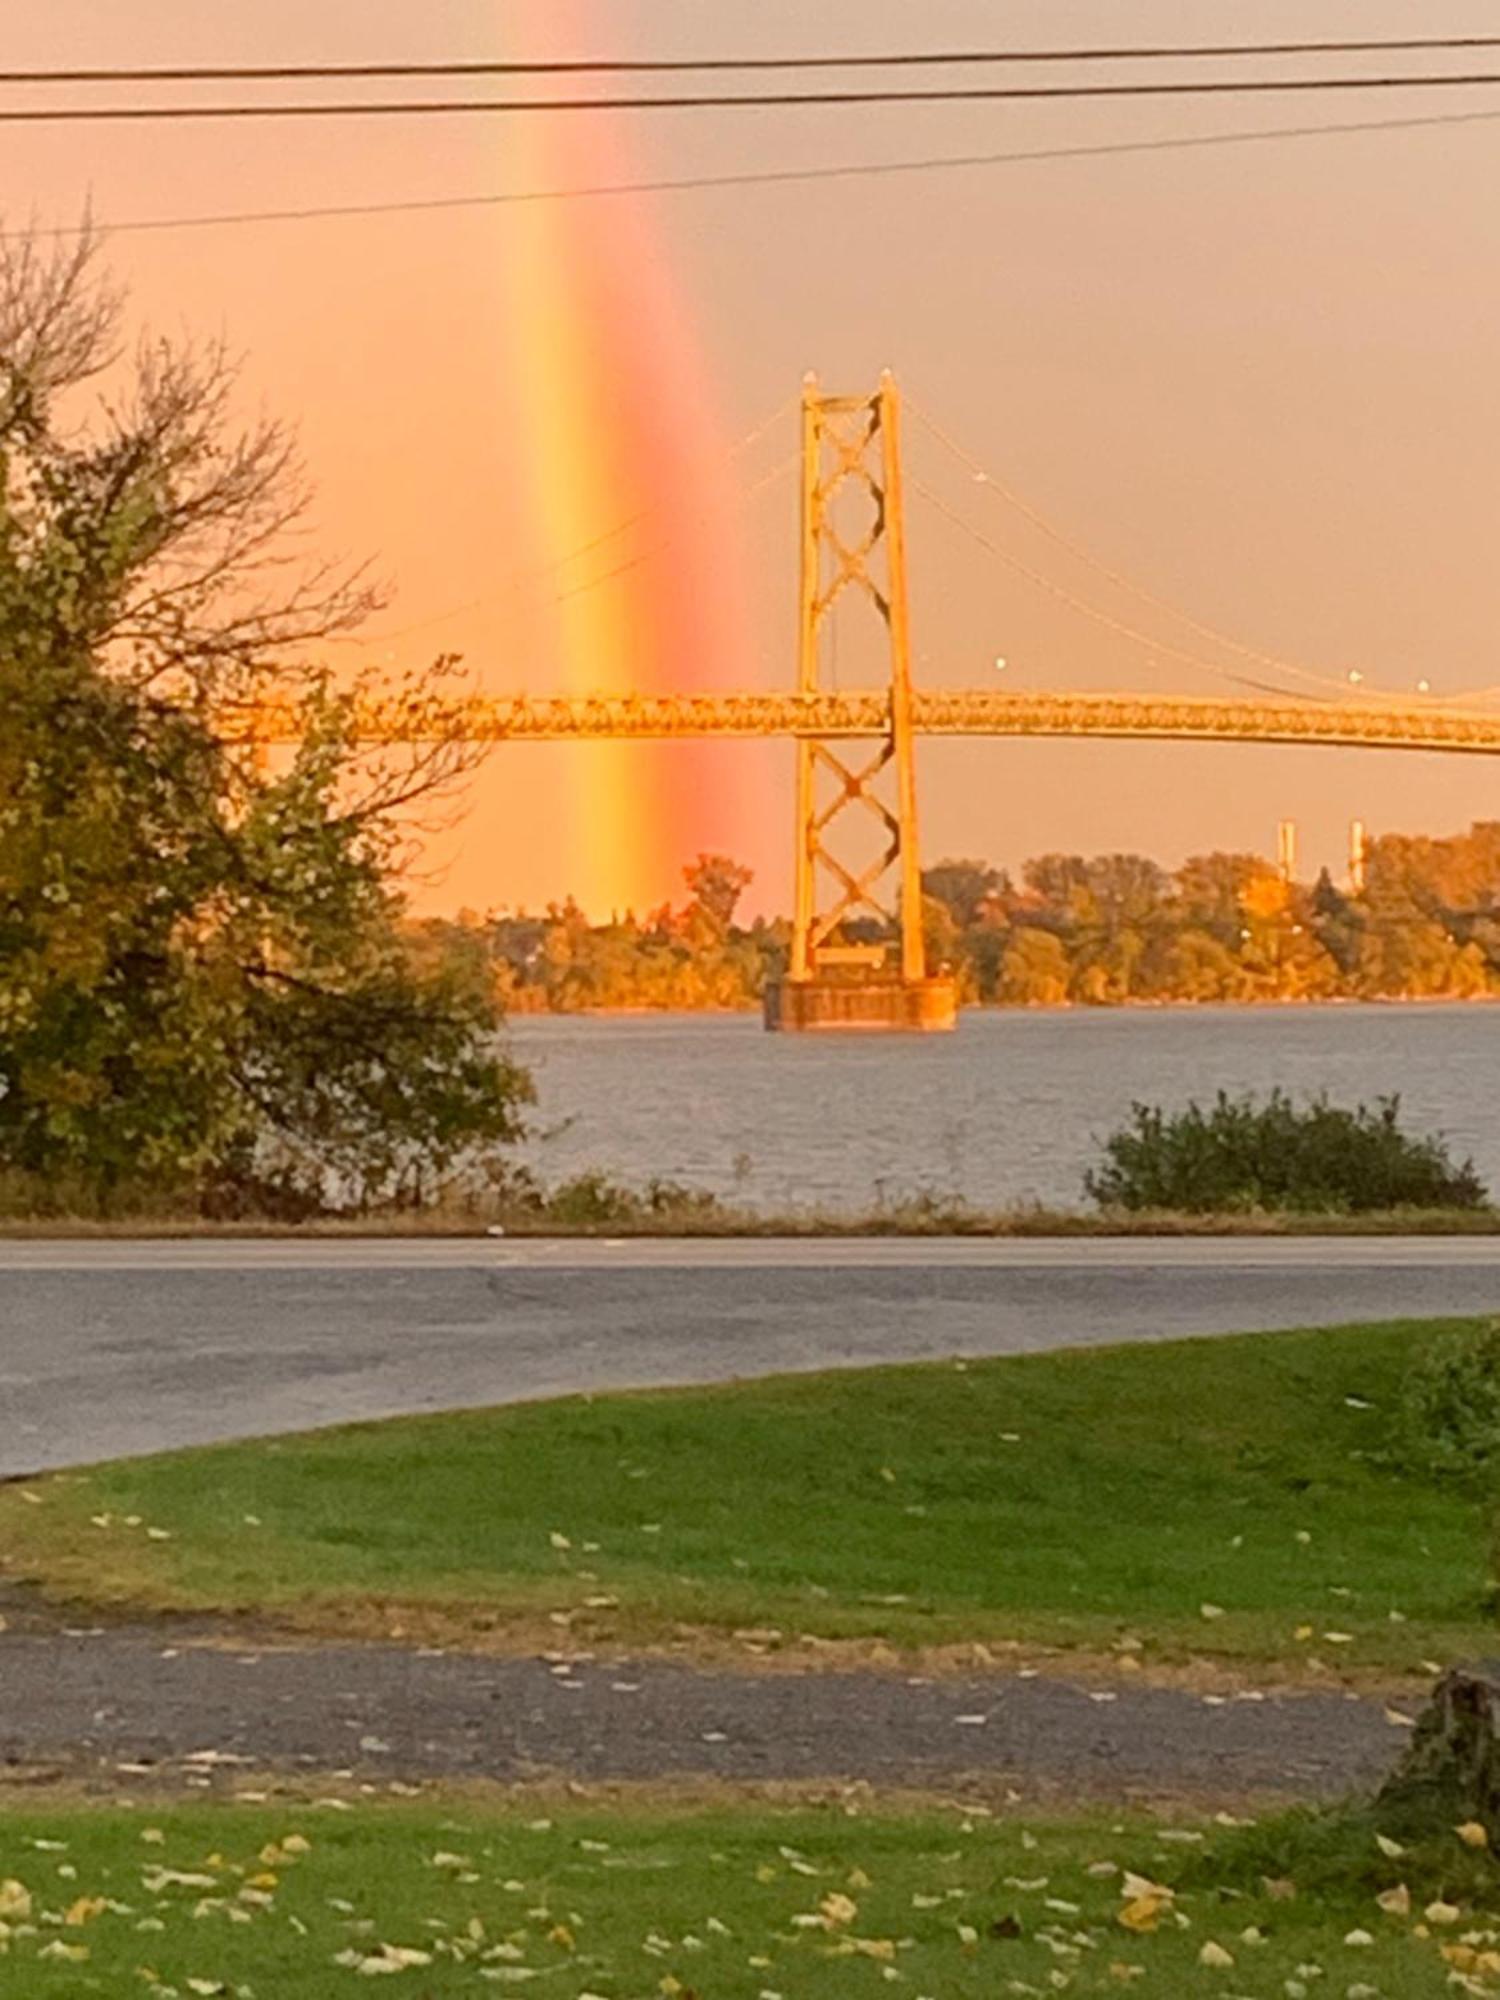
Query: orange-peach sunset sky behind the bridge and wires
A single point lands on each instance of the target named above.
(1261, 381)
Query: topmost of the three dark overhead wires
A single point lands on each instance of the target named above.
(281, 73)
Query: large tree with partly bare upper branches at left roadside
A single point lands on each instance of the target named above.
(205, 979)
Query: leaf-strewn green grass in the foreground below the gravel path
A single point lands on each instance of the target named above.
(727, 1907)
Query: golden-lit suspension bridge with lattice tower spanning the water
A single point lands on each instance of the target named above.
(859, 953)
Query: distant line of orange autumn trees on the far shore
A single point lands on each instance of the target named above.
(1099, 931)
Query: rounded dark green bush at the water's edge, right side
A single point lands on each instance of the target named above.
(1277, 1155)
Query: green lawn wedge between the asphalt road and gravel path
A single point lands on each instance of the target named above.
(1213, 1499)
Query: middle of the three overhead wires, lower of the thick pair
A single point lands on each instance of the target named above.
(735, 101)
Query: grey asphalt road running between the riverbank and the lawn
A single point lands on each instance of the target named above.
(113, 1349)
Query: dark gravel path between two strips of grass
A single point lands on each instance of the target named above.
(89, 1703)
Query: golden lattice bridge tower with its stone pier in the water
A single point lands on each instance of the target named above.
(859, 871)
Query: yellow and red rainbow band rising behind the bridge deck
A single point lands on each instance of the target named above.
(613, 421)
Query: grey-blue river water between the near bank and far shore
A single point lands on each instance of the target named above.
(1007, 1109)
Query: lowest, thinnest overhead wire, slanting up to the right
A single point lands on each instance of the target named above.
(763, 177)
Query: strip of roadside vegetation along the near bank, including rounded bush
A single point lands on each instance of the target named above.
(1239, 1167)
